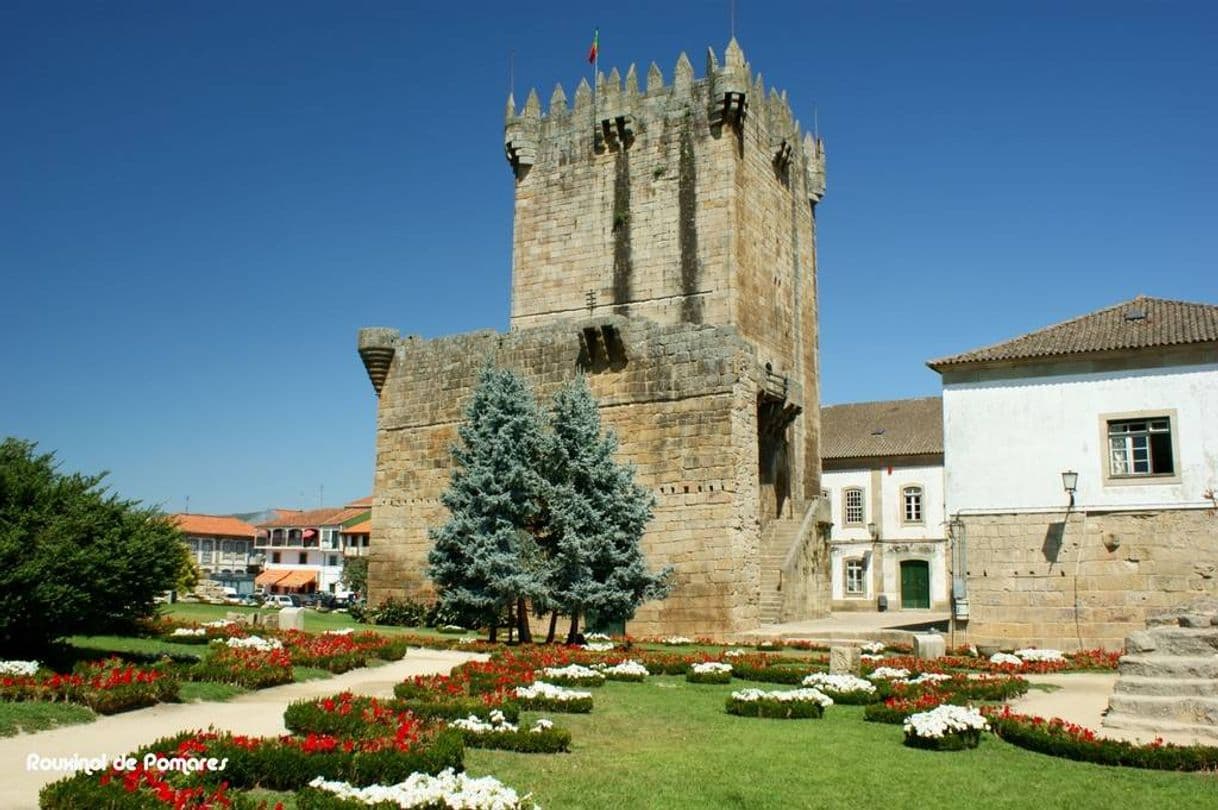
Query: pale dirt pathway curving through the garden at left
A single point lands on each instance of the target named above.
(256, 713)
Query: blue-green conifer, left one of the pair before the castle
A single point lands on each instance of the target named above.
(485, 560)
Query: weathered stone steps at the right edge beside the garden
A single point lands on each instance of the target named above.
(1169, 680)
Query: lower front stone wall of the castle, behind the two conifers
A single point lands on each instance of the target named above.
(685, 410)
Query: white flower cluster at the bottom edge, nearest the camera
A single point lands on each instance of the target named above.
(448, 790)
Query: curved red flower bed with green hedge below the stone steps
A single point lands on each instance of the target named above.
(1060, 739)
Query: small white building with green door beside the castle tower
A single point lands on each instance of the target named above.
(884, 479)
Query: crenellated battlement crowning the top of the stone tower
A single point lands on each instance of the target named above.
(613, 116)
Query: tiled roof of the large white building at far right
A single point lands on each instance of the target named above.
(1141, 323)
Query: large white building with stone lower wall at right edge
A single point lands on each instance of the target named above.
(1126, 403)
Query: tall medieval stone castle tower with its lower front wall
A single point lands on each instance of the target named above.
(664, 245)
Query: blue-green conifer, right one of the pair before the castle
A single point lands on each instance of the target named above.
(596, 518)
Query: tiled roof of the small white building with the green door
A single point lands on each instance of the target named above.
(892, 428)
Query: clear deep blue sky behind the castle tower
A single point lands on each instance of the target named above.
(202, 203)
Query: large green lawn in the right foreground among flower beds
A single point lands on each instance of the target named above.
(666, 744)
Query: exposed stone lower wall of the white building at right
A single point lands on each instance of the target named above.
(1026, 574)
